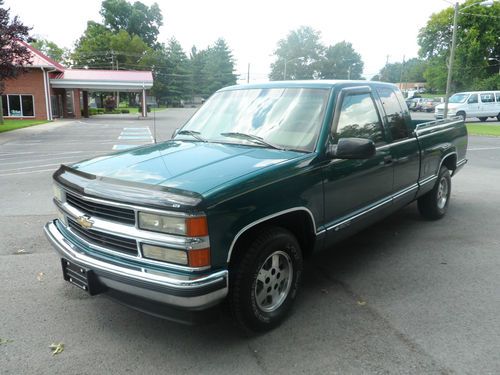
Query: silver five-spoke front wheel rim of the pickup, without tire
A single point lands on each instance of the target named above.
(273, 282)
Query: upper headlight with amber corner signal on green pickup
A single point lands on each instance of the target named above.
(191, 226)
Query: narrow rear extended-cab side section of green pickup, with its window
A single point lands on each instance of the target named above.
(403, 145)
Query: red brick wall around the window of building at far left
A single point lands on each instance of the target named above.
(30, 83)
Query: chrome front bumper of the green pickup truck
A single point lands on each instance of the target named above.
(189, 292)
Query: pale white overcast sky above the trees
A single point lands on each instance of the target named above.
(383, 30)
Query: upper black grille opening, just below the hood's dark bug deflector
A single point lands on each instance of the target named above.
(118, 214)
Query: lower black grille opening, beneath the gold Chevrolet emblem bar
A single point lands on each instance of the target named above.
(109, 241)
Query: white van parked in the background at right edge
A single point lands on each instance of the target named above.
(480, 104)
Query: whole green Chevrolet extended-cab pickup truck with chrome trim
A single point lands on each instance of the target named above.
(261, 177)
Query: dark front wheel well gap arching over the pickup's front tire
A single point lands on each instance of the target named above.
(299, 223)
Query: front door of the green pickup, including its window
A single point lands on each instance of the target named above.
(356, 191)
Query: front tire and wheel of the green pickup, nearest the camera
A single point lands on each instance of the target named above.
(264, 280)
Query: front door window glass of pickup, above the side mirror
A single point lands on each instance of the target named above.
(359, 119)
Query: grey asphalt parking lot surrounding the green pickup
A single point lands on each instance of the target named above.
(405, 296)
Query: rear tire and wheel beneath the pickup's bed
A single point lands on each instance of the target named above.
(434, 204)
